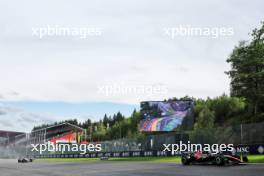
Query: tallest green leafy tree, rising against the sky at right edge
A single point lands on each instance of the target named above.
(247, 71)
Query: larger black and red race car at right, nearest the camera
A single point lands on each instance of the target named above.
(210, 158)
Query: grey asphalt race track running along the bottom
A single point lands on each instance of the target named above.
(110, 168)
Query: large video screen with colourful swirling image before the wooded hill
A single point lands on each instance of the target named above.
(163, 116)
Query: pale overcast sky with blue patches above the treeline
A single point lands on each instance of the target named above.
(132, 51)
